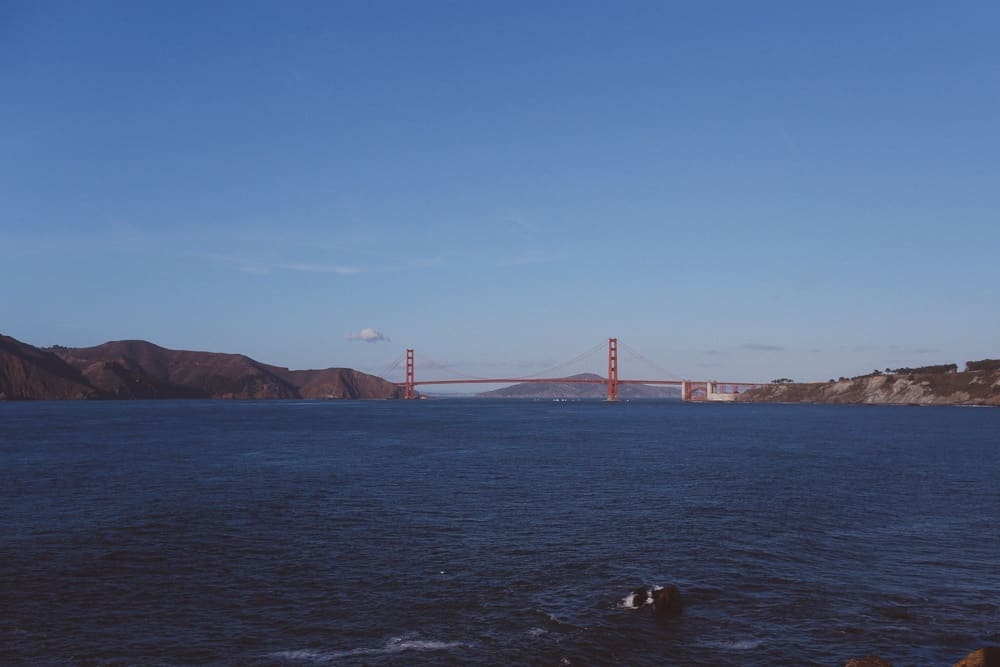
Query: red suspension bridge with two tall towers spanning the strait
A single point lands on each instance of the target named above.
(691, 390)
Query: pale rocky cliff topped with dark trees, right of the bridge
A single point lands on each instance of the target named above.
(978, 384)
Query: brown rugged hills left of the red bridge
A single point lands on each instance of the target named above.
(136, 369)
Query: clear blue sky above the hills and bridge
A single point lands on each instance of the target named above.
(737, 190)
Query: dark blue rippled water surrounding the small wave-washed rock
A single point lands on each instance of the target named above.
(490, 533)
